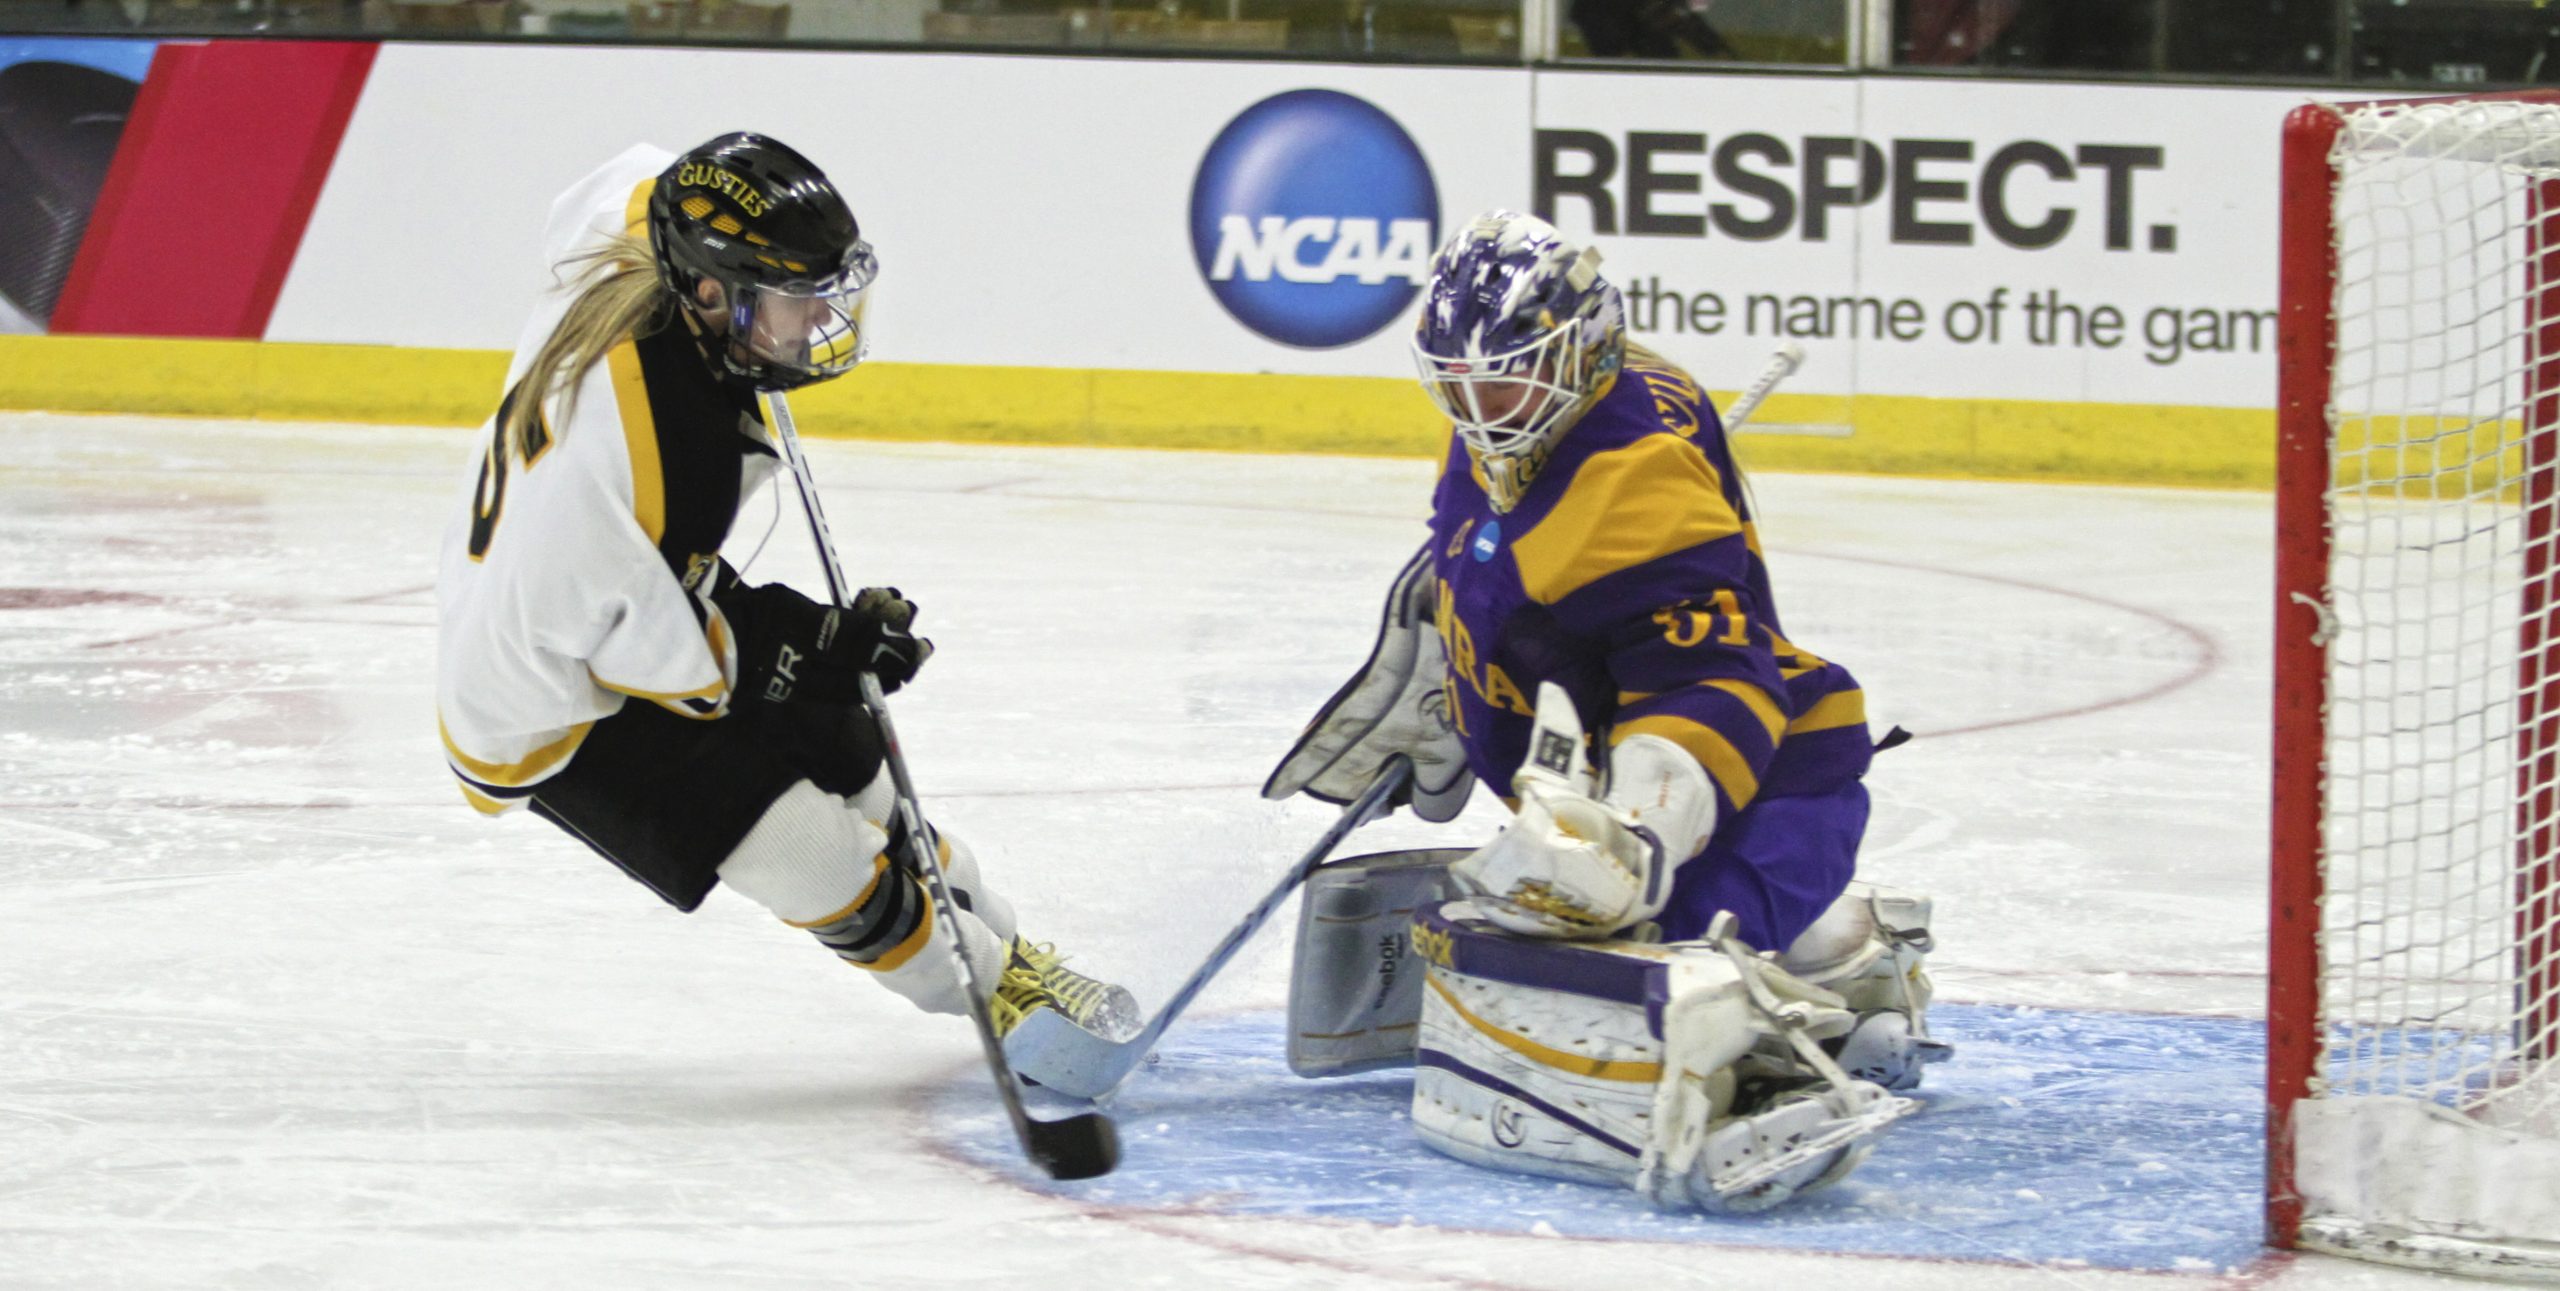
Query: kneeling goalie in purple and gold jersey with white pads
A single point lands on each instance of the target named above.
(1663, 970)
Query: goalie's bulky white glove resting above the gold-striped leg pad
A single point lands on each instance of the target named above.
(1586, 867)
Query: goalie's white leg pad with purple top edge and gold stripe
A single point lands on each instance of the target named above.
(1686, 1072)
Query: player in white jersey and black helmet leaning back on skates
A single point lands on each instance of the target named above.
(598, 660)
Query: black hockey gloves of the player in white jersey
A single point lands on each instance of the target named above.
(795, 649)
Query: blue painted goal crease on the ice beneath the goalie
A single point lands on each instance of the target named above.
(2124, 1141)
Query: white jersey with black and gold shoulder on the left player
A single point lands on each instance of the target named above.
(577, 572)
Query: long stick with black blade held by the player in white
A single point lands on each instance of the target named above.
(1079, 1146)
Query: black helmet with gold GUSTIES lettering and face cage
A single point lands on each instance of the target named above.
(756, 219)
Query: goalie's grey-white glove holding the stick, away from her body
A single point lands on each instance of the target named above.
(1391, 706)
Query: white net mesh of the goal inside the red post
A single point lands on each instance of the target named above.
(2441, 931)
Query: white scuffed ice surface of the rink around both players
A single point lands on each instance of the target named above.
(280, 1013)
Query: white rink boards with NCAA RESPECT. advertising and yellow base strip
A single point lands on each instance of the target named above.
(1990, 278)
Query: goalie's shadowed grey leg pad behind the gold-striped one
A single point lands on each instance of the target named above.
(1356, 990)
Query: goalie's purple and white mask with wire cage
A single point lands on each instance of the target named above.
(1519, 337)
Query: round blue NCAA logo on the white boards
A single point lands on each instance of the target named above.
(1315, 219)
